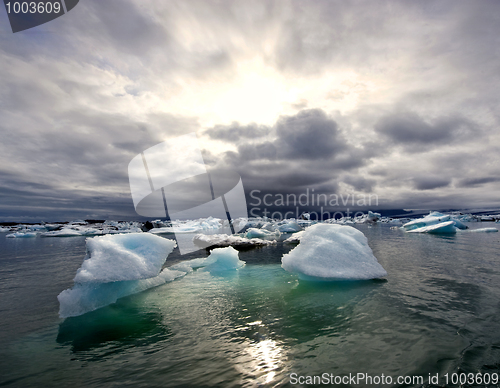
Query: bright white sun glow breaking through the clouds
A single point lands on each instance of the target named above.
(253, 91)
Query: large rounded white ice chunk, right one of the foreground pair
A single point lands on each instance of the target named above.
(333, 252)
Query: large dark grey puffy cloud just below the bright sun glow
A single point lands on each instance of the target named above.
(304, 151)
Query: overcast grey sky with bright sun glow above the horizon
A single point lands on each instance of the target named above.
(398, 100)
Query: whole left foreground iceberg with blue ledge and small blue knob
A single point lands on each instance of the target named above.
(121, 265)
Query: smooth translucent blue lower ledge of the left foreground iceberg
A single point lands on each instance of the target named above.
(85, 297)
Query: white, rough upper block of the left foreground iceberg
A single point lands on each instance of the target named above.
(121, 257)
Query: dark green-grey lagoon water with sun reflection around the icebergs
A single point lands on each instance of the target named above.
(437, 312)
